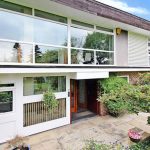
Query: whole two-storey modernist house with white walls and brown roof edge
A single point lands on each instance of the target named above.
(67, 45)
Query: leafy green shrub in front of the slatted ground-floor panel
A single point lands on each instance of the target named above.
(50, 100)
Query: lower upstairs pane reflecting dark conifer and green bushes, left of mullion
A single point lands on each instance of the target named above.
(46, 54)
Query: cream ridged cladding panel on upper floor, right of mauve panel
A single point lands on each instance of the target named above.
(137, 50)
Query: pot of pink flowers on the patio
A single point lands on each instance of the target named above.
(134, 136)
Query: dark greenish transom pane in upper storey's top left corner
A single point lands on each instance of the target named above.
(15, 7)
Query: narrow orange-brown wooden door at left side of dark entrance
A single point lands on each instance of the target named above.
(73, 95)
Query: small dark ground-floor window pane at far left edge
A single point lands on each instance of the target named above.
(6, 99)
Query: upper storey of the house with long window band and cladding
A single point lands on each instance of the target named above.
(36, 36)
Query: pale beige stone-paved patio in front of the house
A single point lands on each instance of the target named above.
(73, 137)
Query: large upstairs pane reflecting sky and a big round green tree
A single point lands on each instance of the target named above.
(82, 38)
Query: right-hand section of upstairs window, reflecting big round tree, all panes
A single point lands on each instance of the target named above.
(91, 46)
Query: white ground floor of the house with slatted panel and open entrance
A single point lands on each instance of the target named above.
(22, 110)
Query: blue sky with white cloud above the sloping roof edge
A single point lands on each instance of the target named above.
(139, 8)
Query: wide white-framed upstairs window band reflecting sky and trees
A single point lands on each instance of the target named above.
(25, 39)
